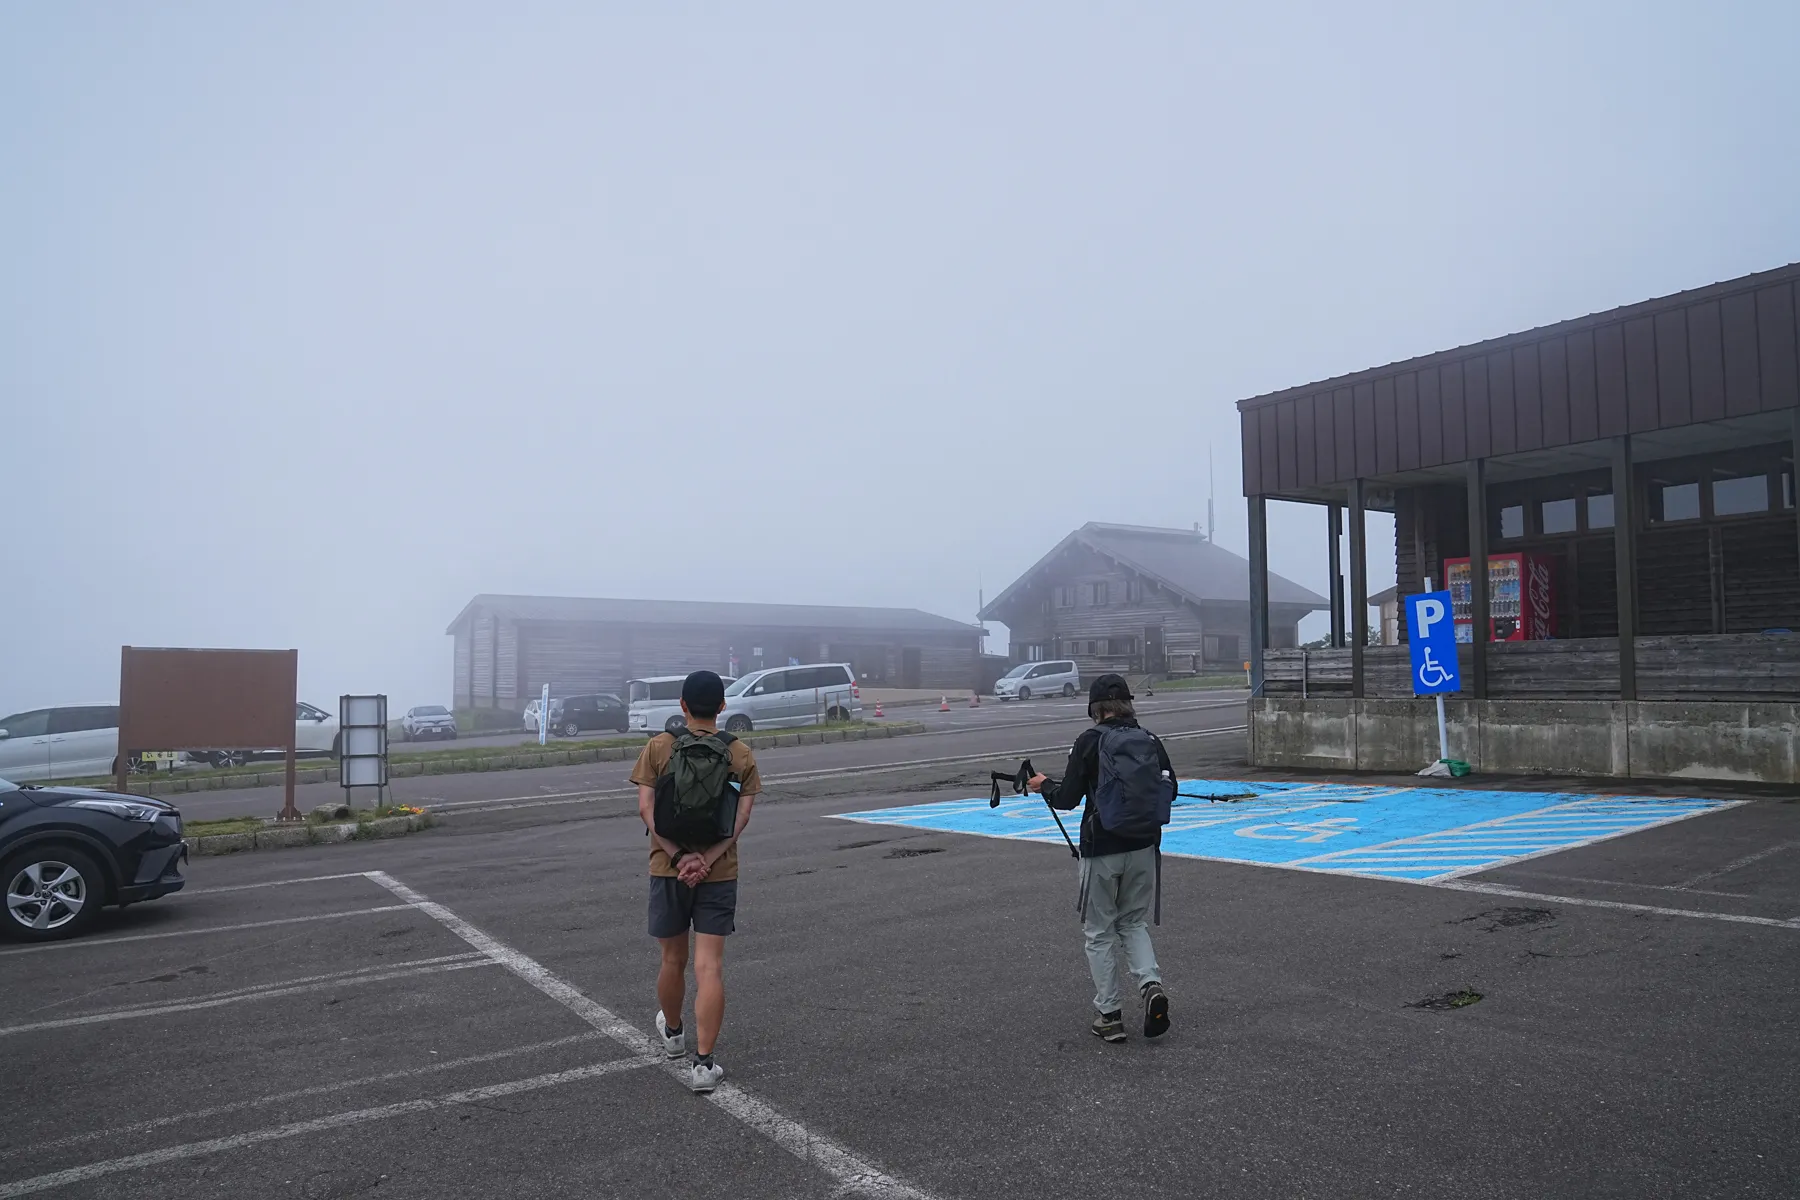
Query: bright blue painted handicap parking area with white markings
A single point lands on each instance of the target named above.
(1394, 834)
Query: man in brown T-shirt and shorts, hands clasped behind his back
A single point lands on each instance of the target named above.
(696, 793)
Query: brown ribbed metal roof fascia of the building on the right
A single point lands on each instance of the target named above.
(1705, 355)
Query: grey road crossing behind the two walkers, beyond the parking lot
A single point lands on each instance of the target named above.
(984, 737)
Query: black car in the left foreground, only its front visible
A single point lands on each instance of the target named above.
(69, 852)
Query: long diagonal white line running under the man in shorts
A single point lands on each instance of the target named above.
(852, 1174)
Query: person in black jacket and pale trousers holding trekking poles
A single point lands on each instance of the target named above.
(1124, 775)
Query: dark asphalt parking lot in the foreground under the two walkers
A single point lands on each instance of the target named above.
(465, 1014)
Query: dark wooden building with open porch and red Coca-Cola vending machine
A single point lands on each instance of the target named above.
(1641, 460)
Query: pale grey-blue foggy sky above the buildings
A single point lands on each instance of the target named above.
(319, 319)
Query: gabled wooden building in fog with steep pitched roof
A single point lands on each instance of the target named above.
(1142, 600)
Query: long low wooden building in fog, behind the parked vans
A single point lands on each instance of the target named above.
(510, 647)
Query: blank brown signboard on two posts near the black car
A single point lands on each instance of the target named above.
(208, 701)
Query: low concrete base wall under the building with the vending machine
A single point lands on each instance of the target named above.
(1653, 740)
